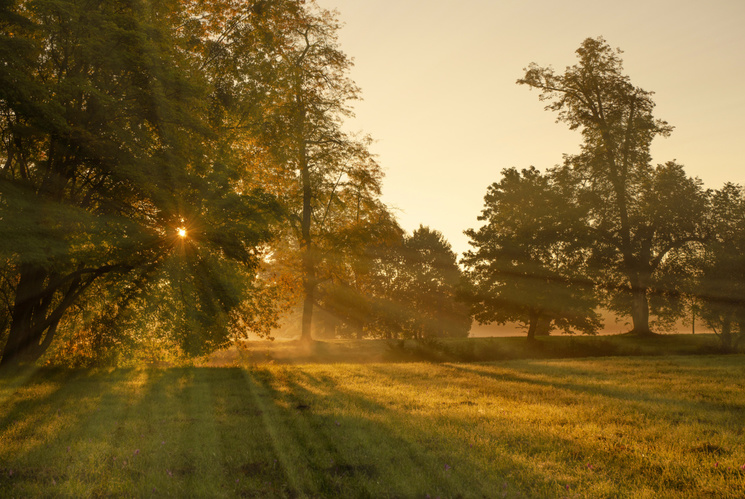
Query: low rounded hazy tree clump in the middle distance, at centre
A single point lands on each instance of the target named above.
(399, 286)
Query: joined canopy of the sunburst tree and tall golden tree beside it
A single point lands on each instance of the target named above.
(175, 168)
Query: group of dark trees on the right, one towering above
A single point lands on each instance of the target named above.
(606, 227)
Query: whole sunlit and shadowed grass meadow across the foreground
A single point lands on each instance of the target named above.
(613, 427)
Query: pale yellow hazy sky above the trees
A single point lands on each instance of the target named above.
(438, 82)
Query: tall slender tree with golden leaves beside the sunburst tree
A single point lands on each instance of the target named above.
(331, 182)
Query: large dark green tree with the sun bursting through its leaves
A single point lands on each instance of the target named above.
(107, 148)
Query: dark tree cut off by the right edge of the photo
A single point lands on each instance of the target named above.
(721, 291)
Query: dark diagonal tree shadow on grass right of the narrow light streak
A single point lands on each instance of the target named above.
(409, 451)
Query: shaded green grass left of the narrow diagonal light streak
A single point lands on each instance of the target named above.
(174, 432)
